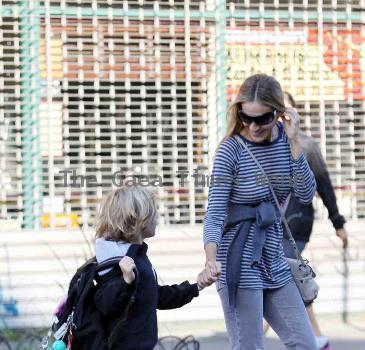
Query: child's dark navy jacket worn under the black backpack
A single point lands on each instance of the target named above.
(139, 330)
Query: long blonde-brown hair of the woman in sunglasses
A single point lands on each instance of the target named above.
(260, 88)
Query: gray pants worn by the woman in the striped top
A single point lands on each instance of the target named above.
(282, 308)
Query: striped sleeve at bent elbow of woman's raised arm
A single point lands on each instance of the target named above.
(304, 183)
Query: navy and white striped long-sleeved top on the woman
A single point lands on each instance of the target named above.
(236, 178)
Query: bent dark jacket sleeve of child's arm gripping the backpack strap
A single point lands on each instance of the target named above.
(113, 296)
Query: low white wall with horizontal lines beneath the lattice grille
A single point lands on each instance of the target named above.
(38, 265)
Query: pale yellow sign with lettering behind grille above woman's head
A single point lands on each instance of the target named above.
(297, 64)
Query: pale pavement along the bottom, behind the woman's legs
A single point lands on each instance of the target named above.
(211, 334)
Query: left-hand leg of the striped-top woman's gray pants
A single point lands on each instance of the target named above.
(244, 322)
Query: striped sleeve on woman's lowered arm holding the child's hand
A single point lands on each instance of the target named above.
(222, 178)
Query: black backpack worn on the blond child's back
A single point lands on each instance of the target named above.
(79, 322)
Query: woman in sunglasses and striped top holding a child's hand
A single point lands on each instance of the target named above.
(256, 280)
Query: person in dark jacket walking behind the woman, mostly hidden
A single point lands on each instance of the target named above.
(300, 216)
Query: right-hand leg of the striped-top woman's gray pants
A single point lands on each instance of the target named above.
(285, 312)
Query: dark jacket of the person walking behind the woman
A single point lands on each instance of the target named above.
(300, 216)
